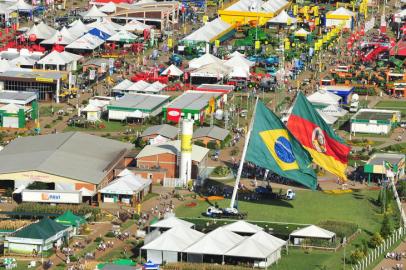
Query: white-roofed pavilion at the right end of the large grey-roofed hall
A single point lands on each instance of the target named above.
(128, 188)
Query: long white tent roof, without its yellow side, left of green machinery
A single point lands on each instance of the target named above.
(209, 31)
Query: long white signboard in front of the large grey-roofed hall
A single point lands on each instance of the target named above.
(51, 196)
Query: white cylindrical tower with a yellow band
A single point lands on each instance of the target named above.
(185, 168)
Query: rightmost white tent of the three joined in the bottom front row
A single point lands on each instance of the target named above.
(261, 246)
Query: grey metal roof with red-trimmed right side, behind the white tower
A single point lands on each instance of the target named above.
(193, 100)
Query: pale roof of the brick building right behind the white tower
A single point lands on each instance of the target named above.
(172, 147)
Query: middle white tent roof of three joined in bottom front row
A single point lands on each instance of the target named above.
(217, 242)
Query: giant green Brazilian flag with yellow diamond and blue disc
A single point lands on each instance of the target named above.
(272, 146)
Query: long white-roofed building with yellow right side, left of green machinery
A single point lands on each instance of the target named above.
(216, 29)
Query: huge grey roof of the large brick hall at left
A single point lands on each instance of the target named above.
(74, 155)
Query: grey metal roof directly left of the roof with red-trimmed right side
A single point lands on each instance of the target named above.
(140, 101)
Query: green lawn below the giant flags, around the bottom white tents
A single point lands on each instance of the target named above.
(310, 207)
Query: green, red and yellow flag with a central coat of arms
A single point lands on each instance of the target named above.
(326, 148)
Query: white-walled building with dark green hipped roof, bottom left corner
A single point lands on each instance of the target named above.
(39, 236)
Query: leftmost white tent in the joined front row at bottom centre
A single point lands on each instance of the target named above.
(168, 245)
